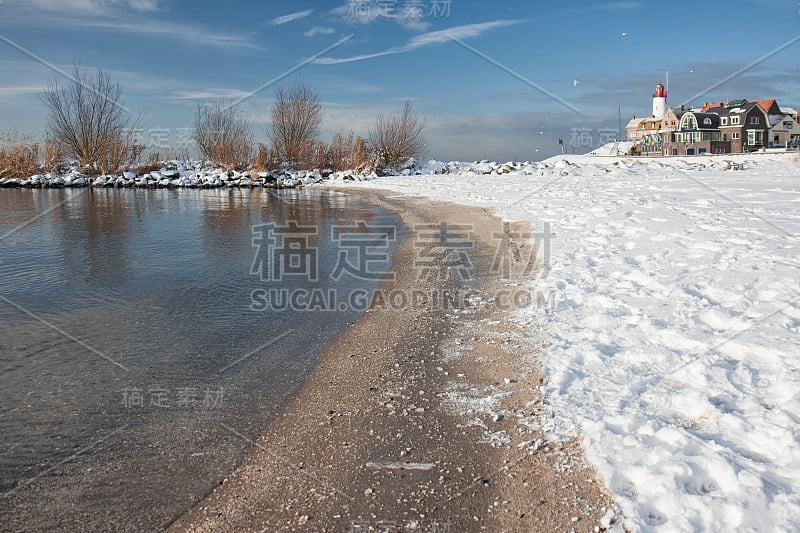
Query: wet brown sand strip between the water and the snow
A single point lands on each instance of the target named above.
(381, 437)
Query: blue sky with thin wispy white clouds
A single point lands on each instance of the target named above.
(493, 80)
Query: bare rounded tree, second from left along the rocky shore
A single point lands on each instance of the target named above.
(223, 136)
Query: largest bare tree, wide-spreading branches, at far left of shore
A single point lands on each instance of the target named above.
(87, 117)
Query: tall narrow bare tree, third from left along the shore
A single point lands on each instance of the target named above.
(296, 117)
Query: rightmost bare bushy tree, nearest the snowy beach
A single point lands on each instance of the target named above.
(396, 139)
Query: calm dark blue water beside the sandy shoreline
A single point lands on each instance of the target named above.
(127, 342)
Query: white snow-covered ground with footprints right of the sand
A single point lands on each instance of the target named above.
(673, 349)
